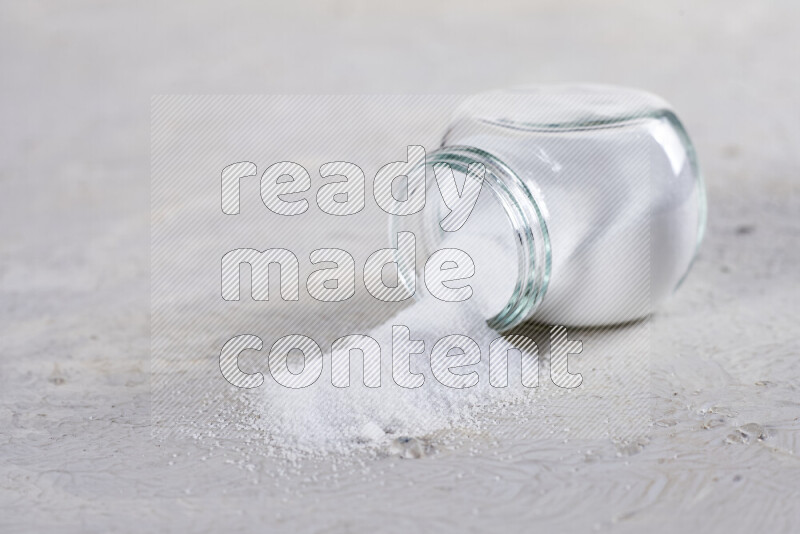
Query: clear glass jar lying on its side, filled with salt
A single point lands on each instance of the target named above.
(596, 206)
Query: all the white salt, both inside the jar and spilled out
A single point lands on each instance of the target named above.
(614, 200)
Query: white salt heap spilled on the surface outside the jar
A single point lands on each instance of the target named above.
(325, 417)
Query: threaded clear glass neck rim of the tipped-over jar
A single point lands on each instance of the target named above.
(526, 216)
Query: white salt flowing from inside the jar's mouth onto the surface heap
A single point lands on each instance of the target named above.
(324, 417)
